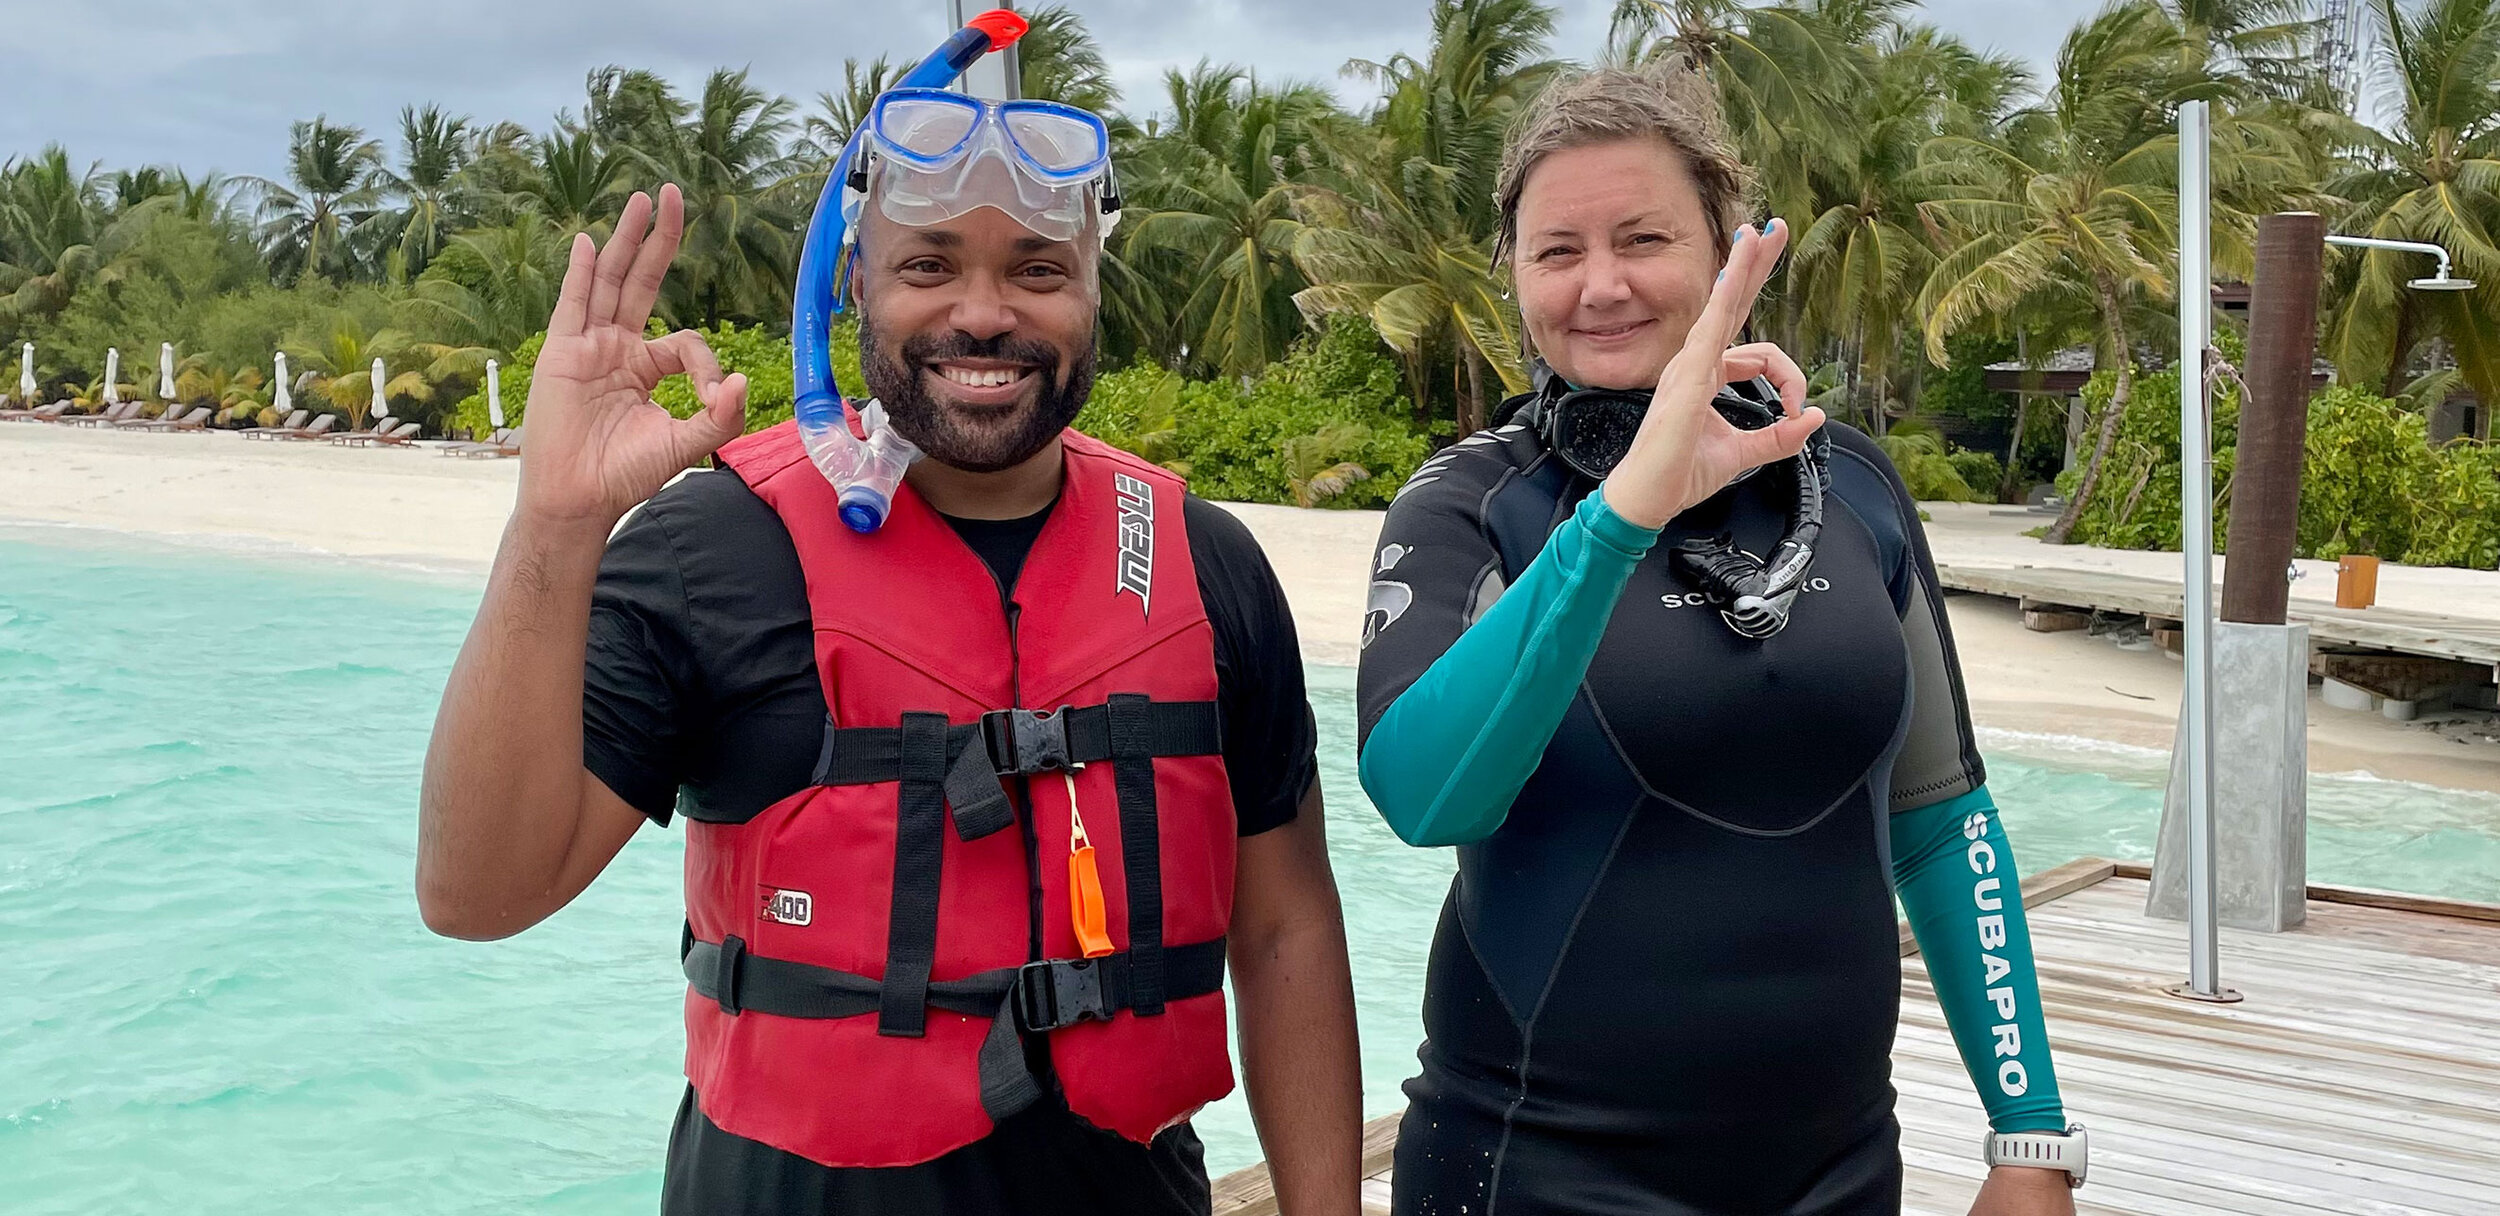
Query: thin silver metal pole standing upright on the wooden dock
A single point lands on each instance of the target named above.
(2196, 539)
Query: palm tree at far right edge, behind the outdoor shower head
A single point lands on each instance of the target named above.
(2436, 176)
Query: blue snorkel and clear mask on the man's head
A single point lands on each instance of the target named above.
(931, 156)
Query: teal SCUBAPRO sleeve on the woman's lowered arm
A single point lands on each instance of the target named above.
(1959, 882)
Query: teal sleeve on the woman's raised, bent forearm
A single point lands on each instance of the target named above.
(1449, 757)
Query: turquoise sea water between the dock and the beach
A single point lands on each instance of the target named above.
(219, 997)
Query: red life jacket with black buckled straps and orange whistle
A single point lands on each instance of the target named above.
(859, 952)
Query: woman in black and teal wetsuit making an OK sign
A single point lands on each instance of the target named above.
(1671, 669)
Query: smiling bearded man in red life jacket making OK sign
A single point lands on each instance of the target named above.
(981, 807)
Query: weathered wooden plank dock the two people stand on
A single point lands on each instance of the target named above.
(2361, 1075)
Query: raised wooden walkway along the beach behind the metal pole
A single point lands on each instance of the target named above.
(2364, 629)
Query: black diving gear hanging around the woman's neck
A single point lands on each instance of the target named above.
(1591, 432)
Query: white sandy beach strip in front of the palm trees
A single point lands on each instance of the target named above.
(421, 507)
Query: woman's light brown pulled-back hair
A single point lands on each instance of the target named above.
(1664, 101)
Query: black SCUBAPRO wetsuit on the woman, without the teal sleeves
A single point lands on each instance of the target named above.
(1669, 982)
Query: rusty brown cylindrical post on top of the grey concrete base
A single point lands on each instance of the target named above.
(2274, 419)
